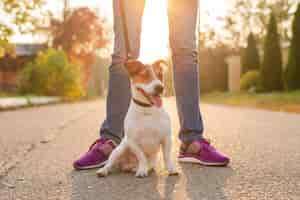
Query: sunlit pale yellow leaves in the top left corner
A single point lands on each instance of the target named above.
(20, 13)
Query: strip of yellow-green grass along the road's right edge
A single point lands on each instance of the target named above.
(276, 101)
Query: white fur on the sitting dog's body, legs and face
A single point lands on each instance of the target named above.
(146, 130)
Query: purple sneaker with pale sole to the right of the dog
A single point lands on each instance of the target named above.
(201, 152)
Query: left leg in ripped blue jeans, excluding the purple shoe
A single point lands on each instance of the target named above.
(119, 95)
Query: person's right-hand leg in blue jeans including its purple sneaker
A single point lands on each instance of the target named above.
(182, 23)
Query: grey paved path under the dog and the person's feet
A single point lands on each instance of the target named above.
(38, 146)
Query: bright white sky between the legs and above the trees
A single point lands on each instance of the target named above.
(154, 43)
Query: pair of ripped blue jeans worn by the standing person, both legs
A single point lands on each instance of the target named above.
(182, 27)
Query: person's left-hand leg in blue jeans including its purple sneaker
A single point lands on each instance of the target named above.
(111, 131)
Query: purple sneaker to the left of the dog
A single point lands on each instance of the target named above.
(96, 156)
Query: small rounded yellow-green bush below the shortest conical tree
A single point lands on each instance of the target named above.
(249, 80)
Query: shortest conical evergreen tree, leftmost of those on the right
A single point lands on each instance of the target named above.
(250, 58)
